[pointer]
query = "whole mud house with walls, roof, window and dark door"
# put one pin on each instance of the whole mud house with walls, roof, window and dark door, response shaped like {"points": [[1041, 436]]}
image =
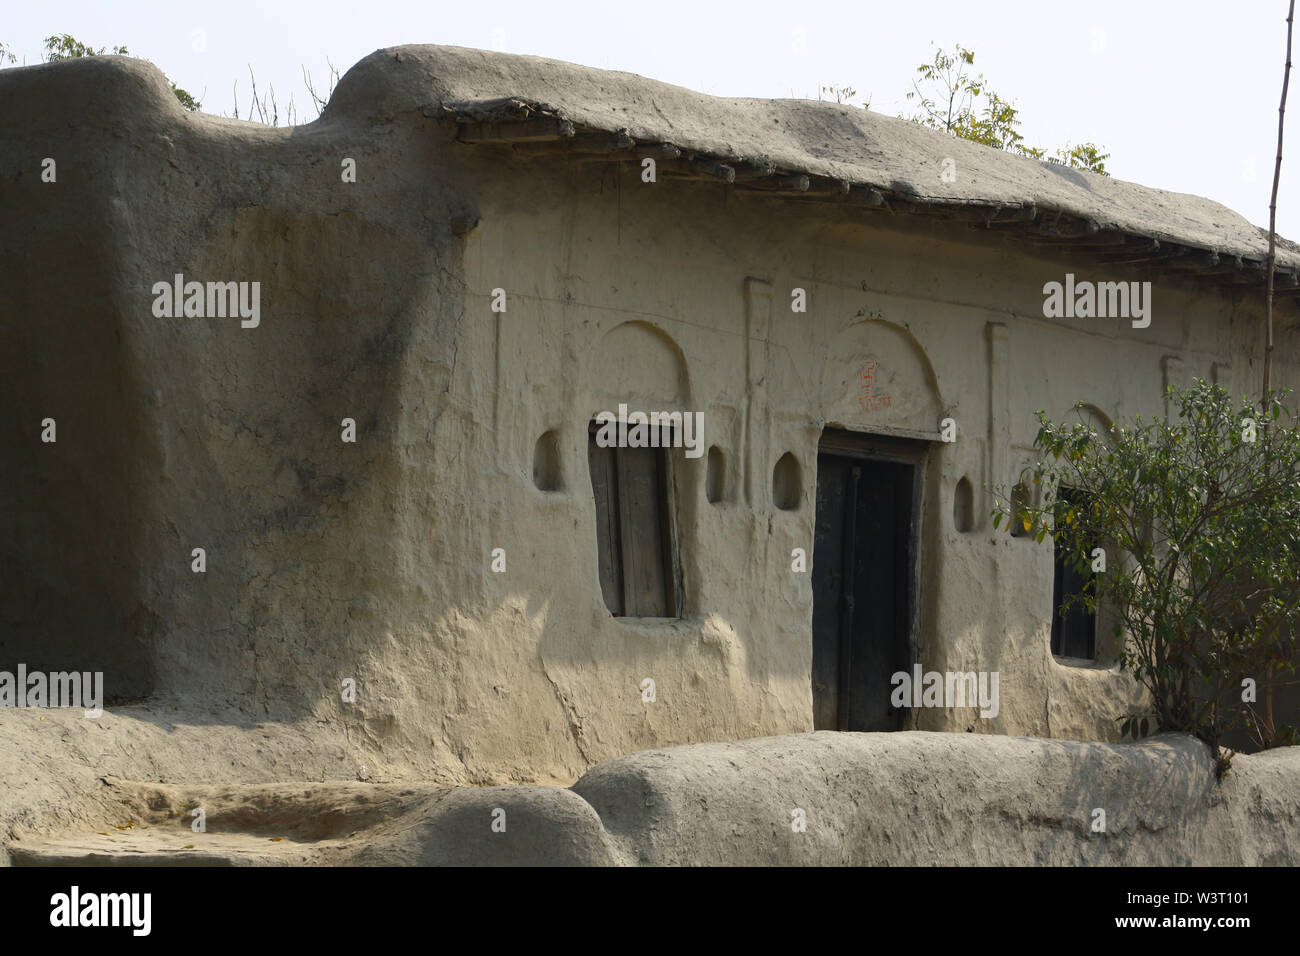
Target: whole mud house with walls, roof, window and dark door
{"points": [[471, 266]]}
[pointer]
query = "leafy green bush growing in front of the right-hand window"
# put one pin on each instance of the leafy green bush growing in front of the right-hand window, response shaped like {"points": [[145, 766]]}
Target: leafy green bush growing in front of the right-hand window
{"points": [[1199, 520]]}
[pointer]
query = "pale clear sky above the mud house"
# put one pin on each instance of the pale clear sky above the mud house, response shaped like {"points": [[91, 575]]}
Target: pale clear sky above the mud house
{"points": [[1184, 96]]}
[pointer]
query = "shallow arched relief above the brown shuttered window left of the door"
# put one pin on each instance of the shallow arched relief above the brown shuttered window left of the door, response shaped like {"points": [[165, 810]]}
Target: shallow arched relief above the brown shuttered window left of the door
{"points": [[642, 365]]}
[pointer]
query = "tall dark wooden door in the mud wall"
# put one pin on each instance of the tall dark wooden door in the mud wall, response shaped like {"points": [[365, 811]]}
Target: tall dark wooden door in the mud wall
{"points": [[863, 564]]}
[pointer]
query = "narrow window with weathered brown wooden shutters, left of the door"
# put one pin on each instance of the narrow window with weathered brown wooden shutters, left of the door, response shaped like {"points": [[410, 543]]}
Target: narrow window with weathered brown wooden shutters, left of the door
{"points": [[635, 531]]}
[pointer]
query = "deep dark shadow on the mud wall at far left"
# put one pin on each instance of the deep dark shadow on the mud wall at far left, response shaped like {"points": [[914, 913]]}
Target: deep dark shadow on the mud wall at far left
{"points": [[72, 439]]}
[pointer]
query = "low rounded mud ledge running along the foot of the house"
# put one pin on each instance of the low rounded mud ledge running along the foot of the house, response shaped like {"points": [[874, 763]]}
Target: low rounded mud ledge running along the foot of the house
{"points": [[866, 799]]}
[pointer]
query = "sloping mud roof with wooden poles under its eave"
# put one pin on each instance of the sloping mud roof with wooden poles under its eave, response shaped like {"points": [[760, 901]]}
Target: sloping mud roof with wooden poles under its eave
{"points": [[805, 150]]}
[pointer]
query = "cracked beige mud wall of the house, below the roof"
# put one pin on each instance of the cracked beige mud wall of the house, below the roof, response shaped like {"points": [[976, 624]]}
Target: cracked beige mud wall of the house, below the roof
{"points": [[371, 561]]}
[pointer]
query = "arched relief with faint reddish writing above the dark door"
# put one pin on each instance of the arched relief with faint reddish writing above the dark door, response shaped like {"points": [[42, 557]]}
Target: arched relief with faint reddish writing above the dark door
{"points": [[877, 379]]}
